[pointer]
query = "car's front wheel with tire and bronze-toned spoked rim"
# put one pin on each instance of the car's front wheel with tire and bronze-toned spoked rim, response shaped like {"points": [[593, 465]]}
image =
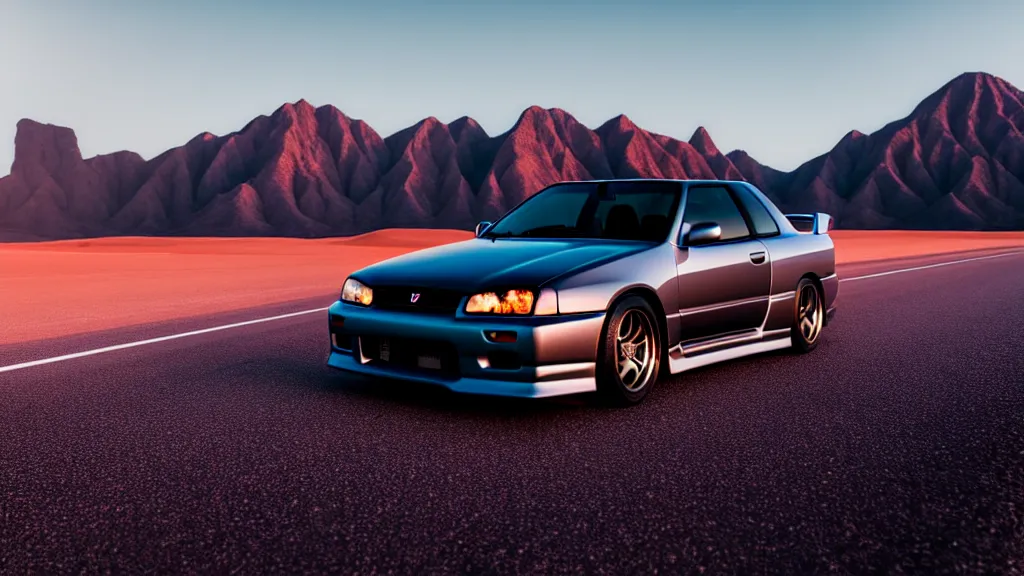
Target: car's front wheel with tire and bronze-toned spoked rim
{"points": [[630, 355]]}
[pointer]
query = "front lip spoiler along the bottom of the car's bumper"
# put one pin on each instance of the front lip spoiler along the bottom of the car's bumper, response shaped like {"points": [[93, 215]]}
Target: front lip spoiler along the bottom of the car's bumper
{"points": [[579, 379]]}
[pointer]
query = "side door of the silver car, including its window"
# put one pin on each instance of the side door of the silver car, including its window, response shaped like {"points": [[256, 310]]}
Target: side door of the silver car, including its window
{"points": [[724, 285]]}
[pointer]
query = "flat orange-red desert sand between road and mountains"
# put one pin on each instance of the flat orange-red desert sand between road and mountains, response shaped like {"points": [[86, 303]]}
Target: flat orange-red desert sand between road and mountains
{"points": [[53, 290]]}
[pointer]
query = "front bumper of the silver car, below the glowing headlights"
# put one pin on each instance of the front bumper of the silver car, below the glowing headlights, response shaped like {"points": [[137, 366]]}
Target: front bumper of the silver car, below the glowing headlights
{"points": [[554, 355]]}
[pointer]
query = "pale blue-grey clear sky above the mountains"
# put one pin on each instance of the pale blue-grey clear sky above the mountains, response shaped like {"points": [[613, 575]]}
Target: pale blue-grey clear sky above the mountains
{"points": [[784, 80]]}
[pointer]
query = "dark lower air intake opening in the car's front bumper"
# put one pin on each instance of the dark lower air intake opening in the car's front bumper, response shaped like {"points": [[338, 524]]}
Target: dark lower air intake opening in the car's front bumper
{"points": [[434, 357]]}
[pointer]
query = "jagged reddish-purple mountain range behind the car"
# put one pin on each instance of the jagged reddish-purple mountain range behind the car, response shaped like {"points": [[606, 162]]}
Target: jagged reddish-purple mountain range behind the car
{"points": [[956, 162]]}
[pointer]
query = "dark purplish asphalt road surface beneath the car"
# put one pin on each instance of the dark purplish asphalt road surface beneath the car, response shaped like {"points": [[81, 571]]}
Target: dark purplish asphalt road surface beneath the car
{"points": [[898, 446]]}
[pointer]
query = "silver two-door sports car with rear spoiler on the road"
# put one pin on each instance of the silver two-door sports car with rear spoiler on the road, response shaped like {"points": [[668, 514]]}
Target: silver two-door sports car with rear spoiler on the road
{"points": [[594, 286]]}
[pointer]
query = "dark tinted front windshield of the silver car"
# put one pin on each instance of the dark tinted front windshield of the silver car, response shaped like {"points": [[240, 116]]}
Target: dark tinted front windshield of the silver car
{"points": [[617, 211]]}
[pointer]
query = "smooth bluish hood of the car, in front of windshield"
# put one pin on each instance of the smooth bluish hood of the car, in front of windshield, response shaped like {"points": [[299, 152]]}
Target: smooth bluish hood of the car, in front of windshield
{"points": [[484, 264]]}
